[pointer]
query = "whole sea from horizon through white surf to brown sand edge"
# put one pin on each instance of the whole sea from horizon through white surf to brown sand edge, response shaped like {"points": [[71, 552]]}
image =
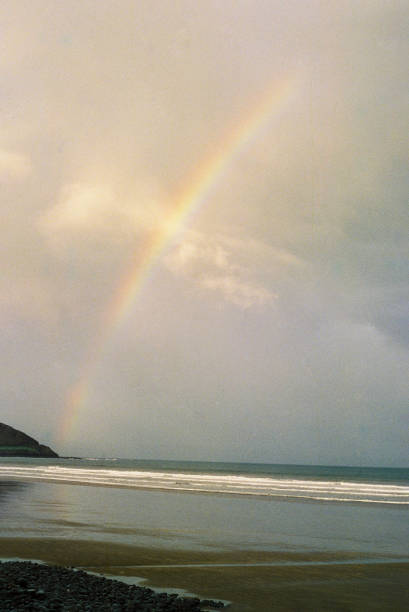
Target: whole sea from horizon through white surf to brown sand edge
{"points": [[207, 505]]}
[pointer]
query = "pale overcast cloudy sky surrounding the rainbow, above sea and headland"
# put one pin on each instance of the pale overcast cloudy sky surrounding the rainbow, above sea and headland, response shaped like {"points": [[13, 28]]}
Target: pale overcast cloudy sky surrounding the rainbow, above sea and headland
{"points": [[274, 326]]}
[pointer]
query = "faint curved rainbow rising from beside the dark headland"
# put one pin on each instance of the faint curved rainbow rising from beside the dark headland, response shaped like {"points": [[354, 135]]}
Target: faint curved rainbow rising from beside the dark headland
{"points": [[188, 202]]}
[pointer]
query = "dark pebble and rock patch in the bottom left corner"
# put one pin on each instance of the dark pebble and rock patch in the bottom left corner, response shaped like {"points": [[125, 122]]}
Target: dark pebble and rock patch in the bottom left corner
{"points": [[33, 587]]}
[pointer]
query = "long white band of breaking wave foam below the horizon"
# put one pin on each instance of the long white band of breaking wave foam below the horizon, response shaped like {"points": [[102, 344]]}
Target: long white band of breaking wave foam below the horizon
{"points": [[301, 489]]}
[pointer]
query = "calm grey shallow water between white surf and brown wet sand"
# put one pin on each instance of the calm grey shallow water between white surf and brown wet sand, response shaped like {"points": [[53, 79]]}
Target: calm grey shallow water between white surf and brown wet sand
{"points": [[193, 520]]}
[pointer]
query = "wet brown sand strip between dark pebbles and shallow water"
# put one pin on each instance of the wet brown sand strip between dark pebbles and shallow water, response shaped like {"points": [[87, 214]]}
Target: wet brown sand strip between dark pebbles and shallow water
{"points": [[293, 581]]}
